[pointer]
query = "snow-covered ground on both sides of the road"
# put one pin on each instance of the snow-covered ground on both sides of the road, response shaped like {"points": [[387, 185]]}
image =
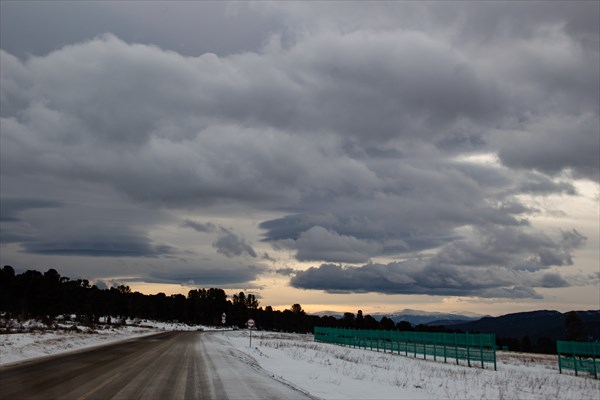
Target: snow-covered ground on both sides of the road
{"points": [[328, 371]]}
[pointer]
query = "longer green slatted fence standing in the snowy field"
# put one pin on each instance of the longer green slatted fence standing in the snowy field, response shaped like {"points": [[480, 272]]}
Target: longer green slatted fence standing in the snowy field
{"points": [[480, 348]]}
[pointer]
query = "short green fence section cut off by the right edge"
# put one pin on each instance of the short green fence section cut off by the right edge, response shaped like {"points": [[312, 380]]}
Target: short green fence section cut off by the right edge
{"points": [[579, 357]]}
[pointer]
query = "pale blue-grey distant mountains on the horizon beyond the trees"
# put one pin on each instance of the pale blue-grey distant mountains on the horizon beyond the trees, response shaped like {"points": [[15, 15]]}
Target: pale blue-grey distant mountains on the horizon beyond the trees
{"points": [[417, 317]]}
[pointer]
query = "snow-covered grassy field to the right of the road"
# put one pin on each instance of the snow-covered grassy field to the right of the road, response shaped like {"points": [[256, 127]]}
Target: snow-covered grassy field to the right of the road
{"points": [[335, 372]]}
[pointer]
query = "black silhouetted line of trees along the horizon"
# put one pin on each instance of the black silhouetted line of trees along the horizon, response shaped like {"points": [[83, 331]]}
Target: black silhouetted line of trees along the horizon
{"points": [[33, 294]]}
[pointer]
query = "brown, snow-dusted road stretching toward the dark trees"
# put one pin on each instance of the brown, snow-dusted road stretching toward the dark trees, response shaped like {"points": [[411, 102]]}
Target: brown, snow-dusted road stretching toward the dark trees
{"points": [[172, 365]]}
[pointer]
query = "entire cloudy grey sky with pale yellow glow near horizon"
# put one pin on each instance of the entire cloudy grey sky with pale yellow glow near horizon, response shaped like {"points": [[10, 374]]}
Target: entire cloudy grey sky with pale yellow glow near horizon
{"points": [[380, 155]]}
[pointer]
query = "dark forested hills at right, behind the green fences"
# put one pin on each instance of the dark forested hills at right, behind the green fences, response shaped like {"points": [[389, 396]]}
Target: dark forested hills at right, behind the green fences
{"points": [[535, 324]]}
